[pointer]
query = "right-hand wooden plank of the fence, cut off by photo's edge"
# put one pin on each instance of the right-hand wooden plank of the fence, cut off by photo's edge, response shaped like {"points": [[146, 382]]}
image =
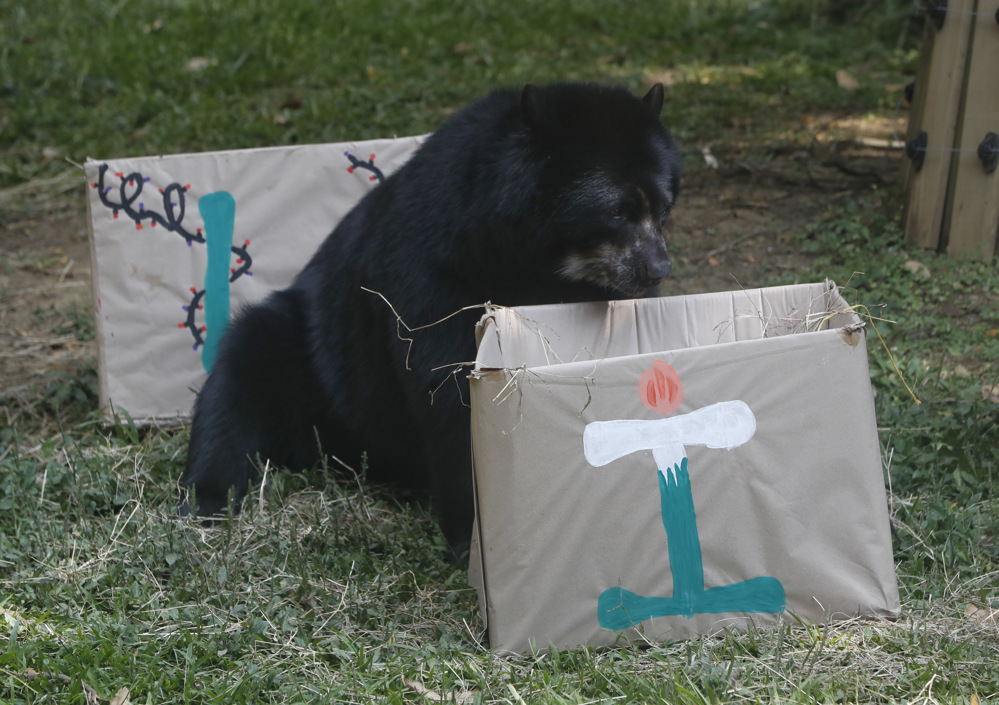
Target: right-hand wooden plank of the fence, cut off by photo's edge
{"points": [[974, 215]]}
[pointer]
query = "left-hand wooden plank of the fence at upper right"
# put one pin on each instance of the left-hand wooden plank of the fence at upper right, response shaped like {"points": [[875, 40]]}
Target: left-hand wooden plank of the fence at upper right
{"points": [[928, 186]]}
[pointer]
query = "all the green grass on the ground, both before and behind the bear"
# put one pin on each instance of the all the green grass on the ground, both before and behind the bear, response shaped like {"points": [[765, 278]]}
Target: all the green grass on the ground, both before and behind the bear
{"points": [[324, 591]]}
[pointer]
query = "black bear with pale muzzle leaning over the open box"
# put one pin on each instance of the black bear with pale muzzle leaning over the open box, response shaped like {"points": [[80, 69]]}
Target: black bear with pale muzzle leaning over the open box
{"points": [[553, 194]]}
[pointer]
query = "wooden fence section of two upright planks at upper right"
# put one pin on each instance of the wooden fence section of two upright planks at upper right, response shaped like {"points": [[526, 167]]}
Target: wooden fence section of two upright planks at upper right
{"points": [[953, 136]]}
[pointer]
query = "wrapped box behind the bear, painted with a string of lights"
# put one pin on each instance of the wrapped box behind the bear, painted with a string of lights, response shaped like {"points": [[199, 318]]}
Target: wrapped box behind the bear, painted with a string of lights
{"points": [[164, 291]]}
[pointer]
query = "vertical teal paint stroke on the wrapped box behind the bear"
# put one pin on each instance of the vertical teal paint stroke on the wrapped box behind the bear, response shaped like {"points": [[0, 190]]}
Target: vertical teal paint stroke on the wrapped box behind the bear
{"points": [[218, 211]]}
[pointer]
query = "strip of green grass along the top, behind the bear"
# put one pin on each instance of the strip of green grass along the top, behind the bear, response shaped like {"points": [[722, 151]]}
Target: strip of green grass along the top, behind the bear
{"points": [[86, 78]]}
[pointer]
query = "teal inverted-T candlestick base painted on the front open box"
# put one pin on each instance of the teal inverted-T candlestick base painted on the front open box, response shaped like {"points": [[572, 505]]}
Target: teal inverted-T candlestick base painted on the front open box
{"points": [[618, 608]]}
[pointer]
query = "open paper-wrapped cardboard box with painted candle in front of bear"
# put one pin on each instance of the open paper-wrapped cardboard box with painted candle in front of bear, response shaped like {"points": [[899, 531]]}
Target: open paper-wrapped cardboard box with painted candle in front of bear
{"points": [[659, 468]]}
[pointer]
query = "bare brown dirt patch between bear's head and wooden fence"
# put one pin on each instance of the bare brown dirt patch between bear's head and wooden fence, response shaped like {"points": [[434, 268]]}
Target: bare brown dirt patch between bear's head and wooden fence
{"points": [[736, 226]]}
